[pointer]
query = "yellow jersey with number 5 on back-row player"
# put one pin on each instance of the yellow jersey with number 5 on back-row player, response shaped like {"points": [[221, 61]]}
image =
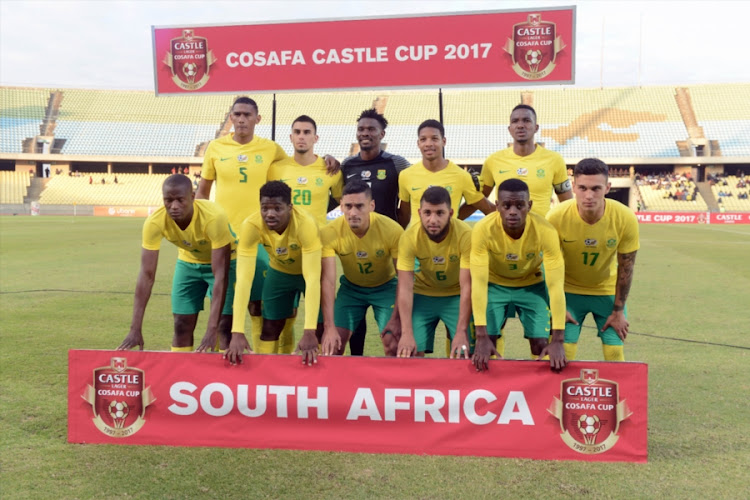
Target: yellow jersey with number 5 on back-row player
{"points": [[239, 171]]}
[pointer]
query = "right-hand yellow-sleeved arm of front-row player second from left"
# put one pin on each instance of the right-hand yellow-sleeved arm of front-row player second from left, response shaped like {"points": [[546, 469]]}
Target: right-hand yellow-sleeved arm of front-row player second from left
{"points": [[311, 271]]}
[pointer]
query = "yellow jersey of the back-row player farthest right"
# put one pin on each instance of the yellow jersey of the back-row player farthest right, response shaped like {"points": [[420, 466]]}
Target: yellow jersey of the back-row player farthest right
{"points": [[541, 171]]}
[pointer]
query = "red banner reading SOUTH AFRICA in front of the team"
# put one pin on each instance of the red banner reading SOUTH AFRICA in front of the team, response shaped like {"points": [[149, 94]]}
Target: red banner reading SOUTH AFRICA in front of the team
{"points": [[593, 411]]}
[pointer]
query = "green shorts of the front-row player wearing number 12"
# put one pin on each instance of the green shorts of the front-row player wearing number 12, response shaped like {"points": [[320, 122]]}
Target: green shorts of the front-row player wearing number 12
{"points": [[353, 300]]}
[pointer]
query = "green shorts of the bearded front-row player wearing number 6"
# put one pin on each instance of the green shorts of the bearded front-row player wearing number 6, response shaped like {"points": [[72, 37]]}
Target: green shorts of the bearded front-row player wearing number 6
{"points": [[428, 311]]}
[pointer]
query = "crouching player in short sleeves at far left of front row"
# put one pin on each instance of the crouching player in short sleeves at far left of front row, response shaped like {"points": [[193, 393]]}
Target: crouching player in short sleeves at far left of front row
{"points": [[200, 230]]}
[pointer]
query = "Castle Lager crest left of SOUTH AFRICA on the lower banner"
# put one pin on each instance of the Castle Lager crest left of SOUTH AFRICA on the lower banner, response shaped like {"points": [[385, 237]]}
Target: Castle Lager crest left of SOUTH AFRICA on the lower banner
{"points": [[118, 398]]}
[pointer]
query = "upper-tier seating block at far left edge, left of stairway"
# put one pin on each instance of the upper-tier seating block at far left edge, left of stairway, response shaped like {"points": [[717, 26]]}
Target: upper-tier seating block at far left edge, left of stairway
{"points": [[21, 114]]}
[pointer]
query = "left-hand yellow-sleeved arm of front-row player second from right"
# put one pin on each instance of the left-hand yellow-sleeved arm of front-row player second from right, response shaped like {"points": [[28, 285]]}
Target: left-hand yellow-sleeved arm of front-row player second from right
{"points": [[479, 267]]}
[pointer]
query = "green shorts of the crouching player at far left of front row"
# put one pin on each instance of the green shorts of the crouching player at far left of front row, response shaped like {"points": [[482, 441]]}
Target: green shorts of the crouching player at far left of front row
{"points": [[191, 284]]}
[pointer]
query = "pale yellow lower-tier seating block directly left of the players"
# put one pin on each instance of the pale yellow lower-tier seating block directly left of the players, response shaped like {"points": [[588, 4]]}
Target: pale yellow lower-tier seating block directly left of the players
{"points": [[131, 189]]}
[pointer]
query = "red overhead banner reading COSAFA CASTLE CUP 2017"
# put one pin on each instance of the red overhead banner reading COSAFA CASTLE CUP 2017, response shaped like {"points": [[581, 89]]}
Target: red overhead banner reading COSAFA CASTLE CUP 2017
{"points": [[439, 50]]}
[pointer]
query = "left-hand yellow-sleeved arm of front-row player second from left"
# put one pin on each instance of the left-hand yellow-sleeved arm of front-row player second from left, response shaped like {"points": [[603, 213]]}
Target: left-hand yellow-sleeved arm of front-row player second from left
{"points": [[247, 252]]}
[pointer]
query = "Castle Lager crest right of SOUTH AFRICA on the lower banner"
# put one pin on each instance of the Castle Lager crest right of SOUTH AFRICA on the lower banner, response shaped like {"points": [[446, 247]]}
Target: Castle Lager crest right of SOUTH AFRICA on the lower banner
{"points": [[590, 412]]}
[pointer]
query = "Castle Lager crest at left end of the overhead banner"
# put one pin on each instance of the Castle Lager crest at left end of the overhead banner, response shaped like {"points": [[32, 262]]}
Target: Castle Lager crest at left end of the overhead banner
{"points": [[190, 60]]}
